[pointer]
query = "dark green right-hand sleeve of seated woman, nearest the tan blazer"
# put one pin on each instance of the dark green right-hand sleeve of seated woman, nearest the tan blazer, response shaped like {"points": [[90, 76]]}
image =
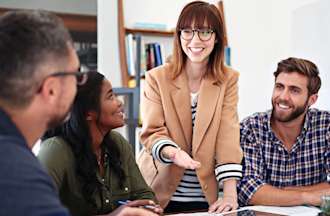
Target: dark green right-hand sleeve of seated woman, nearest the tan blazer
{"points": [[139, 188]]}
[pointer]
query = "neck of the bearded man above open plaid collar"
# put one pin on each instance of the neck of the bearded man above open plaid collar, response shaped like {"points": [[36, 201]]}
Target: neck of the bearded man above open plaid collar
{"points": [[288, 132]]}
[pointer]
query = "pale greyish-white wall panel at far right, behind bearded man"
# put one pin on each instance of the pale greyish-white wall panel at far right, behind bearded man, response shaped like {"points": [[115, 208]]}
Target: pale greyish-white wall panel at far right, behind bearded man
{"points": [[311, 39]]}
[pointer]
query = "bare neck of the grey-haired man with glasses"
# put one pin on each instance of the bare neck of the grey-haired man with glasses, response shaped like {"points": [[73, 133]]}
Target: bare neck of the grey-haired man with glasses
{"points": [[30, 123]]}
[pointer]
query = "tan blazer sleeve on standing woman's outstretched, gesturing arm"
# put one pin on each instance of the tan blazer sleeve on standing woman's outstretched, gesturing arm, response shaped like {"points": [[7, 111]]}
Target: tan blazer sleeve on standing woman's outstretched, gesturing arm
{"points": [[154, 128]]}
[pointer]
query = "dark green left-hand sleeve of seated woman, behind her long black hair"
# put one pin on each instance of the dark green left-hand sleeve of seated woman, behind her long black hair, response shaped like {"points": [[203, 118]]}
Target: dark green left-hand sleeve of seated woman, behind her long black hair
{"points": [[53, 155]]}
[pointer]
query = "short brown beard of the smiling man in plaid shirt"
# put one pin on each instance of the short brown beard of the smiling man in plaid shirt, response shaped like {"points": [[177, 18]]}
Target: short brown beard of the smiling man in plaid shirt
{"points": [[295, 113]]}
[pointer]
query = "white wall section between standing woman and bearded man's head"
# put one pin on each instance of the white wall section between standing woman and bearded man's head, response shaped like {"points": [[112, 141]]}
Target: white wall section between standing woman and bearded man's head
{"points": [[258, 33]]}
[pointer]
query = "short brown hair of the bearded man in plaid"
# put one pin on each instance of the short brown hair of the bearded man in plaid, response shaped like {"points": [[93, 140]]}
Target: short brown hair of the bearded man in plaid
{"points": [[303, 67]]}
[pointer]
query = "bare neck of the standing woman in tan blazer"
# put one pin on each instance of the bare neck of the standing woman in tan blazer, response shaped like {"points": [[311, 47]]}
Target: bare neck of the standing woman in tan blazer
{"points": [[195, 73]]}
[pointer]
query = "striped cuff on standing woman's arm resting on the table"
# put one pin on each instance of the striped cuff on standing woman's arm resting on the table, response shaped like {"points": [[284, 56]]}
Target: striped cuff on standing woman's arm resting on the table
{"points": [[228, 171]]}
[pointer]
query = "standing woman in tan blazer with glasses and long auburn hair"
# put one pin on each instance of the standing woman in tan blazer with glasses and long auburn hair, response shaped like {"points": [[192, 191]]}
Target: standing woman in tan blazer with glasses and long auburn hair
{"points": [[190, 123]]}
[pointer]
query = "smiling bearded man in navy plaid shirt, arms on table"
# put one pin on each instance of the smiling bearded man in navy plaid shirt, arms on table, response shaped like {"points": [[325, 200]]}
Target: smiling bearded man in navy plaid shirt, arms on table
{"points": [[286, 149]]}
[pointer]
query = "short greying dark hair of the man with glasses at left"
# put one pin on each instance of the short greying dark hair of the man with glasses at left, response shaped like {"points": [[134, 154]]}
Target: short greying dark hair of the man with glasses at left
{"points": [[29, 40]]}
